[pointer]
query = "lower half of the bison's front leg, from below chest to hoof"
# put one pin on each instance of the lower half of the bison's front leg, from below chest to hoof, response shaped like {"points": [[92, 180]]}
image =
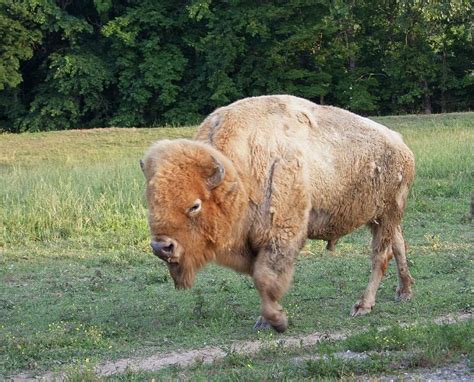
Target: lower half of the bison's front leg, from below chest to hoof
{"points": [[272, 275]]}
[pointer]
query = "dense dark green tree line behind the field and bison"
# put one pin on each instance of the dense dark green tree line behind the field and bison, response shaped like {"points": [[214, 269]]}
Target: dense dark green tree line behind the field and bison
{"points": [[77, 64]]}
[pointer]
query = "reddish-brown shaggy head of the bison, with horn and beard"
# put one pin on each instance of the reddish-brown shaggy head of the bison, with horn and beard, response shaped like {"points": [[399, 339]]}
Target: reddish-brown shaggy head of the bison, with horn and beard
{"points": [[195, 202]]}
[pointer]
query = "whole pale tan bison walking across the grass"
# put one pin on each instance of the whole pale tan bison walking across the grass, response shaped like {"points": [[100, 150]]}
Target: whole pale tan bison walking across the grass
{"points": [[266, 173]]}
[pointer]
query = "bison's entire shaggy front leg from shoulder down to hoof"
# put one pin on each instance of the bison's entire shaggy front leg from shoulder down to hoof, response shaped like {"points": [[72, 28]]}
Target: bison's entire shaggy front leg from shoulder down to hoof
{"points": [[280, 236]]}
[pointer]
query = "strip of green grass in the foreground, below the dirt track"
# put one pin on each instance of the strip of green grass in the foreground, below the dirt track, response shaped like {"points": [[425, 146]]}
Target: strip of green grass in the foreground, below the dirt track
{"points": [[387, 351]]}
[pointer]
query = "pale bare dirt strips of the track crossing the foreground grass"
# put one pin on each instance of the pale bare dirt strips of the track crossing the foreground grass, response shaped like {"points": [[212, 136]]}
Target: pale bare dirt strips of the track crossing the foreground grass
{"points": [[210, 354]]}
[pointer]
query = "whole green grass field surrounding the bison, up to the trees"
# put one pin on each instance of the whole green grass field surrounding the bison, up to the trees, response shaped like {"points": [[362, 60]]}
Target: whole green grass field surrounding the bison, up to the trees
{"points": [[78, 284]]}
